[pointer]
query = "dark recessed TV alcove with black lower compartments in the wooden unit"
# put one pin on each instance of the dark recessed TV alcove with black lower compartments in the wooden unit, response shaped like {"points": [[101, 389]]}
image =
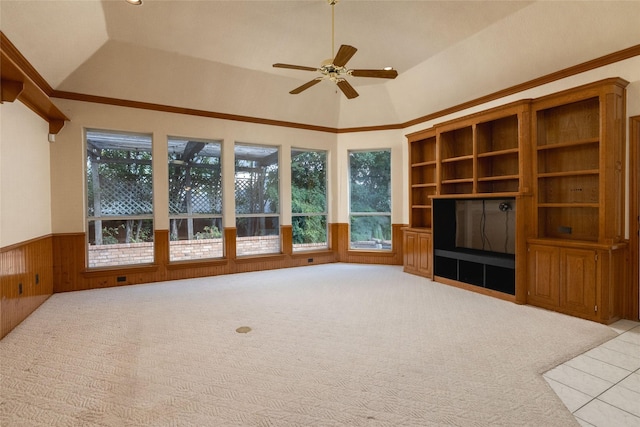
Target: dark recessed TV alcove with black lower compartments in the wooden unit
{"points": [[474, 242]]}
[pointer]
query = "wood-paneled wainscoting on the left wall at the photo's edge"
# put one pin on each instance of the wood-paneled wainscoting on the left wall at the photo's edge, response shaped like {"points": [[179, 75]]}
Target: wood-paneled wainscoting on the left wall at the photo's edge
{"points": [[26, 276]]}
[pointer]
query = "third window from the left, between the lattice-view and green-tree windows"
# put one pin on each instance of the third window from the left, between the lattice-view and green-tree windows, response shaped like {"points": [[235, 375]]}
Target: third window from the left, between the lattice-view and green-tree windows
{"points": [[257, 200]]}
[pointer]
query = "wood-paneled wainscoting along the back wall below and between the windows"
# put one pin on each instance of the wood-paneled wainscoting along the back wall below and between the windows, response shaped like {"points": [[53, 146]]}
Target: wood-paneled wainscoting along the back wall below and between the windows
{"points": [[70, 273]]}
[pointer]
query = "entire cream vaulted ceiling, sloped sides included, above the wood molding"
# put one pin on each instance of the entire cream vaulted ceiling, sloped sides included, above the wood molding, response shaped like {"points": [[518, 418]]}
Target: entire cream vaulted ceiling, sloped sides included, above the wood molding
{"points": [[217, 55]]}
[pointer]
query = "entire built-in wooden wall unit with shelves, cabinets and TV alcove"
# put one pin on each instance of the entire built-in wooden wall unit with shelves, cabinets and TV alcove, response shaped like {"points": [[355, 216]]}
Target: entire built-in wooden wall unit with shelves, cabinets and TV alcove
{"points": [[557, 163]]}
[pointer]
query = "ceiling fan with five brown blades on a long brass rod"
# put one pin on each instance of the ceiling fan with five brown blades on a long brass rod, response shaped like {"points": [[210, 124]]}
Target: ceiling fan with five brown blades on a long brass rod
{"points": [[335, 69]]}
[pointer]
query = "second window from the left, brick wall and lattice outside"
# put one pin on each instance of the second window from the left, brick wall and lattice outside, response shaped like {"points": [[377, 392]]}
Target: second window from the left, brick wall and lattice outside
{"points": [[195, 199]]}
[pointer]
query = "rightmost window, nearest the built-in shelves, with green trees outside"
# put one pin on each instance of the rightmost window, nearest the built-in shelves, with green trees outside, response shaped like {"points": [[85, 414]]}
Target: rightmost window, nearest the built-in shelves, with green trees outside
{"points": [[370, 199]]}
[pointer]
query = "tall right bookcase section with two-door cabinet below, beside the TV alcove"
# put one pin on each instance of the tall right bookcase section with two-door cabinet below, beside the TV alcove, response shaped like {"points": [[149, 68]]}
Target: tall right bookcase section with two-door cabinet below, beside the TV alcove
{"points": [[577, 255]]}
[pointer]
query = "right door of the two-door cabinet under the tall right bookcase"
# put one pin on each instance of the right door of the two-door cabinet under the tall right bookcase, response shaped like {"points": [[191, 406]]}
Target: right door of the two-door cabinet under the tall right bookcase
{"points": [[578, 291]]}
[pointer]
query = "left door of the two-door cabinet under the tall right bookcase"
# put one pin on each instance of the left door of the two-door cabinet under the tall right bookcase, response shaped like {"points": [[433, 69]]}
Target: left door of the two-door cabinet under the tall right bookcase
{"points": [[544, 285]]}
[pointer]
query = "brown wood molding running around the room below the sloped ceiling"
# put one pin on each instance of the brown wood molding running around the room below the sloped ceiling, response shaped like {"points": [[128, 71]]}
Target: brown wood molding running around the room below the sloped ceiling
{"points": [[37, 89]]}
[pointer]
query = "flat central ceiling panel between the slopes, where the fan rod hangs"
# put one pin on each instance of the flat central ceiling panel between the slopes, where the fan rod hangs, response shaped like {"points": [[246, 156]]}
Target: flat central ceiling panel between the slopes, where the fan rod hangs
{"points": [[256, 34]]}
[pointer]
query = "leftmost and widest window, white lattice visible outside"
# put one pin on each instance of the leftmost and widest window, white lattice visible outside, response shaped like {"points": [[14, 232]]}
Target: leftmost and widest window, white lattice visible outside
{"points": [[119, 198]]}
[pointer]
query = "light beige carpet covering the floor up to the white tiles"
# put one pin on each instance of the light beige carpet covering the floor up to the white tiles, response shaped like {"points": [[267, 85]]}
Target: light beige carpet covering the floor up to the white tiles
{"points": [[330, 345]]}
